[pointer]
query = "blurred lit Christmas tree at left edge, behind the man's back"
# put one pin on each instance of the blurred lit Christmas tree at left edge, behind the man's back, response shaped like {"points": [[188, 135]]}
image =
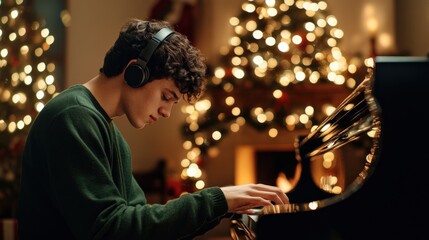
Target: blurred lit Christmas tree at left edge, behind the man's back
{"points": [[27, 82]]}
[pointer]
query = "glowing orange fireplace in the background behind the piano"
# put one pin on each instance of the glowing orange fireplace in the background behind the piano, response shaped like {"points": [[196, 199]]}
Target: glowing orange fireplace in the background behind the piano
{"points": [[277, 165]]}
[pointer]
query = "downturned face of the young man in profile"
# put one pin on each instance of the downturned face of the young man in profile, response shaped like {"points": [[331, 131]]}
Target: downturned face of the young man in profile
{"points": [[146, 104]]}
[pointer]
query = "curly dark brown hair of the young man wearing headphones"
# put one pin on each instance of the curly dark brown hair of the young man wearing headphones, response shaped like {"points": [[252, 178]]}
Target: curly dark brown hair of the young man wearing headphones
{"points": [[175, 57]]}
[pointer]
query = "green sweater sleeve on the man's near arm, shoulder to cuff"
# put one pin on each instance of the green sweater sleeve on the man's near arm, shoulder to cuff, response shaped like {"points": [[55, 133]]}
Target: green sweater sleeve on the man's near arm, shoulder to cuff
{"points": [[88, 197]]}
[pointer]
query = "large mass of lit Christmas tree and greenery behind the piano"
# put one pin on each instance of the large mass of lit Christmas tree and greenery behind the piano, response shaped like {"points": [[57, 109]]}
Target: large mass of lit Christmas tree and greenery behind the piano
{"points": [[280, 71]]}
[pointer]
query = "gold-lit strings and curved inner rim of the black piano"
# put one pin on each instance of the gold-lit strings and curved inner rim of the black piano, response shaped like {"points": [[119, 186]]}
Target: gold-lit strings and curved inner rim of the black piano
{"points": [[355, 121]]}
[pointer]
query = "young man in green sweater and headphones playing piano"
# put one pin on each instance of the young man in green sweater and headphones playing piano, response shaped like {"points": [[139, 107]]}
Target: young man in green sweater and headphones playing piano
{"points": [[77, 179]]}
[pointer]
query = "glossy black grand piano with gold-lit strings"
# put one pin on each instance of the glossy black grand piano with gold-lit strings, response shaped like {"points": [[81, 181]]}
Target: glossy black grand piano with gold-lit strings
{"points": [[380, 129]]}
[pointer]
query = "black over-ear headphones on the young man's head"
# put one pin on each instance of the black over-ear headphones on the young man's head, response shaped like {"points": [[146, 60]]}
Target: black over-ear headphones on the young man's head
{"points": [[137, 73]]}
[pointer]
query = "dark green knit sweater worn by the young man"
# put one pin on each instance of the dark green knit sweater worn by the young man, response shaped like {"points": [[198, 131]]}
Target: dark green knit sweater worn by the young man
{"points": [[77, 182]]}
